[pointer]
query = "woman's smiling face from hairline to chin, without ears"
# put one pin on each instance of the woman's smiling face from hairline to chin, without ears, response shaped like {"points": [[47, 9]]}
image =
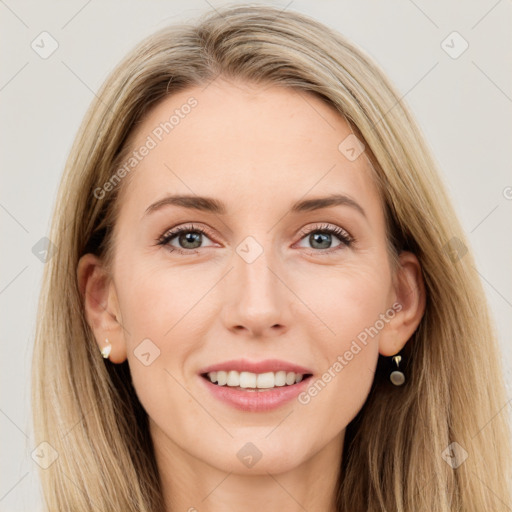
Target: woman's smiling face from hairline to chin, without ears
{"points": [[253, 279]]}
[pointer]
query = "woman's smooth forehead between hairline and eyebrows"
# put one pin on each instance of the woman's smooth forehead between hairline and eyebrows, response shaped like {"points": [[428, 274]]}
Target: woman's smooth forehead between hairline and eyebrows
{"points": [[255, 146]]}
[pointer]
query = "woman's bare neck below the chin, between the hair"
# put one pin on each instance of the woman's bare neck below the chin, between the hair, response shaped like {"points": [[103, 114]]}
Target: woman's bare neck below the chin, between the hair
{"points": [[192, 485]]}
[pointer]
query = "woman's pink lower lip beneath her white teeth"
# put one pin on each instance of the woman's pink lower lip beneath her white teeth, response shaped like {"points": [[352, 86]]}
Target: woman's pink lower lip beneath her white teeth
{"points": [[256, 401]]}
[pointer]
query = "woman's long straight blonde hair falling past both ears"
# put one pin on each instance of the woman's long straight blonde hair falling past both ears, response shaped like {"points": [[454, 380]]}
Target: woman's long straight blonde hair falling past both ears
{"points": [[398, 453]]}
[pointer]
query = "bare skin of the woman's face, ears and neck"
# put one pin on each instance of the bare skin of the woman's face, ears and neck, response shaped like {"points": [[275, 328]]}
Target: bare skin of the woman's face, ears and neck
{"points": [[258, 149]]}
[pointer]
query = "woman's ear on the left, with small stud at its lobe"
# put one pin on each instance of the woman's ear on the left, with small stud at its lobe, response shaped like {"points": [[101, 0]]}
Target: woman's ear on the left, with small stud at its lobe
{"points": [[101, 306]]}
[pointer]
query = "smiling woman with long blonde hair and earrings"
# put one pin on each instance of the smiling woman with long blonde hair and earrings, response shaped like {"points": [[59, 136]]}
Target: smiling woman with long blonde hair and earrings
{"points": [[255, 238]]}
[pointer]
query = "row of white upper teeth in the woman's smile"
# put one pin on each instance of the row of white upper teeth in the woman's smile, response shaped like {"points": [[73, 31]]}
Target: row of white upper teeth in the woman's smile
{"points": [[267, 380]]}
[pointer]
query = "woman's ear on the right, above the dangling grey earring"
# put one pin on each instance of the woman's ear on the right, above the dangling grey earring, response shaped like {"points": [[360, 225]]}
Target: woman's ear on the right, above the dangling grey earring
{"points": [[409, 294]]}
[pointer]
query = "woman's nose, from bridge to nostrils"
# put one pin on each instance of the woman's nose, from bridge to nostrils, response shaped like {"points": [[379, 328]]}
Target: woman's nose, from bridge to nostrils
{"points": [[258, 300]]}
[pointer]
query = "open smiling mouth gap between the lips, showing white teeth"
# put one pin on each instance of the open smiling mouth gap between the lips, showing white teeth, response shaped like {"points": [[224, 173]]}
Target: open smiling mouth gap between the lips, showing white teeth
{"points": [[256, 382]]}
